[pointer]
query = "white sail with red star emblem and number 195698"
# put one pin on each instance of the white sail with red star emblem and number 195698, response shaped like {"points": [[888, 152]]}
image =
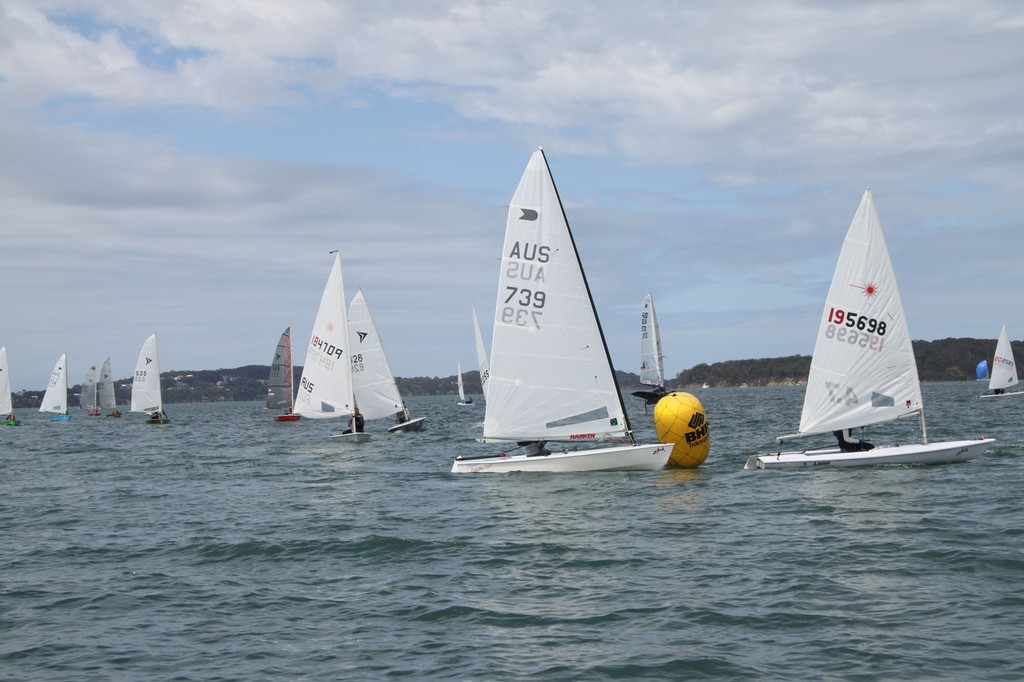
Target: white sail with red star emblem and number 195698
{"points": [[864, 371]]}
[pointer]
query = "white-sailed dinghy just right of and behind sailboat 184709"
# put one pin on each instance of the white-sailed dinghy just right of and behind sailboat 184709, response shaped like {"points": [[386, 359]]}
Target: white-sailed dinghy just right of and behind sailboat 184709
{"points": [[376, 391]]}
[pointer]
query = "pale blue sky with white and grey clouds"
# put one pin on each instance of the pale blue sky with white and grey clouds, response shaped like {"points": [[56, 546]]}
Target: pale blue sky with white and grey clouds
{"points": [[186, 168]]}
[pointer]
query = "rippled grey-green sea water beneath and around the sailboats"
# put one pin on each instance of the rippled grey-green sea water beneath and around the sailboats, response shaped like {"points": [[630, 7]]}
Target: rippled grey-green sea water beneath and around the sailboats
{"points": [[226, 546]]}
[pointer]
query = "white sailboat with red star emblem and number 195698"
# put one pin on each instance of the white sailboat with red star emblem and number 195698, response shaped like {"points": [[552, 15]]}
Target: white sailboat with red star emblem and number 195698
{"points": [[864, 370]]}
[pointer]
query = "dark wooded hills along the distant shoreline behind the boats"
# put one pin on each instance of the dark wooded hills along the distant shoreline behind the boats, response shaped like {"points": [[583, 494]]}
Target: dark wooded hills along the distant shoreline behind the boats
{"points": [[949, 360]]}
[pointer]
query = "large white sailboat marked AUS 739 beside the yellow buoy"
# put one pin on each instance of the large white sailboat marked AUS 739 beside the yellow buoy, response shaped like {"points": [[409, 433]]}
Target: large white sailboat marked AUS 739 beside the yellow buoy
{"points": [[551, 375]]}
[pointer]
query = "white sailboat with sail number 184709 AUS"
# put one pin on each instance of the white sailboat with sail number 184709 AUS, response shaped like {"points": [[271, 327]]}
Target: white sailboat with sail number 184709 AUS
{"points": [[326, 388]]}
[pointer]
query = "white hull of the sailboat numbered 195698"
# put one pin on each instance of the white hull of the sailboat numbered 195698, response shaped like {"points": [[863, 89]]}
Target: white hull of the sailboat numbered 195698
{"points": [[933, 453]]}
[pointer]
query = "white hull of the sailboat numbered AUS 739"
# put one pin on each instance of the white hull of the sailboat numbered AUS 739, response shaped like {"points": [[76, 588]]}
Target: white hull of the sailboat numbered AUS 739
{"points": [[621, 458]]}
